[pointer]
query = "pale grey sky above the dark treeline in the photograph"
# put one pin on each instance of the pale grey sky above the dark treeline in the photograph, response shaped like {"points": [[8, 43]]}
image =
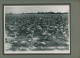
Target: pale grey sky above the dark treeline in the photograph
{"points": [[36, 8]]}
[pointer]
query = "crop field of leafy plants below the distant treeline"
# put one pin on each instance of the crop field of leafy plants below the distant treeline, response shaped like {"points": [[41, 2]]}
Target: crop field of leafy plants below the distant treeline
{"points": [[36, 32]]}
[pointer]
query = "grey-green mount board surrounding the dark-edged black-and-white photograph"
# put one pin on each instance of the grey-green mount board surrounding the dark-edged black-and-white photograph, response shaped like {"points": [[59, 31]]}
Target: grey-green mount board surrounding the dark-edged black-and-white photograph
{"points": [[75, 28]]}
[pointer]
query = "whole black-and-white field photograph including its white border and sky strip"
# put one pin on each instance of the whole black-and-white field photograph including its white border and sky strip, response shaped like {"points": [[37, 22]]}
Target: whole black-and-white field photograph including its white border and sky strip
{"points": [[36, 29]]}
